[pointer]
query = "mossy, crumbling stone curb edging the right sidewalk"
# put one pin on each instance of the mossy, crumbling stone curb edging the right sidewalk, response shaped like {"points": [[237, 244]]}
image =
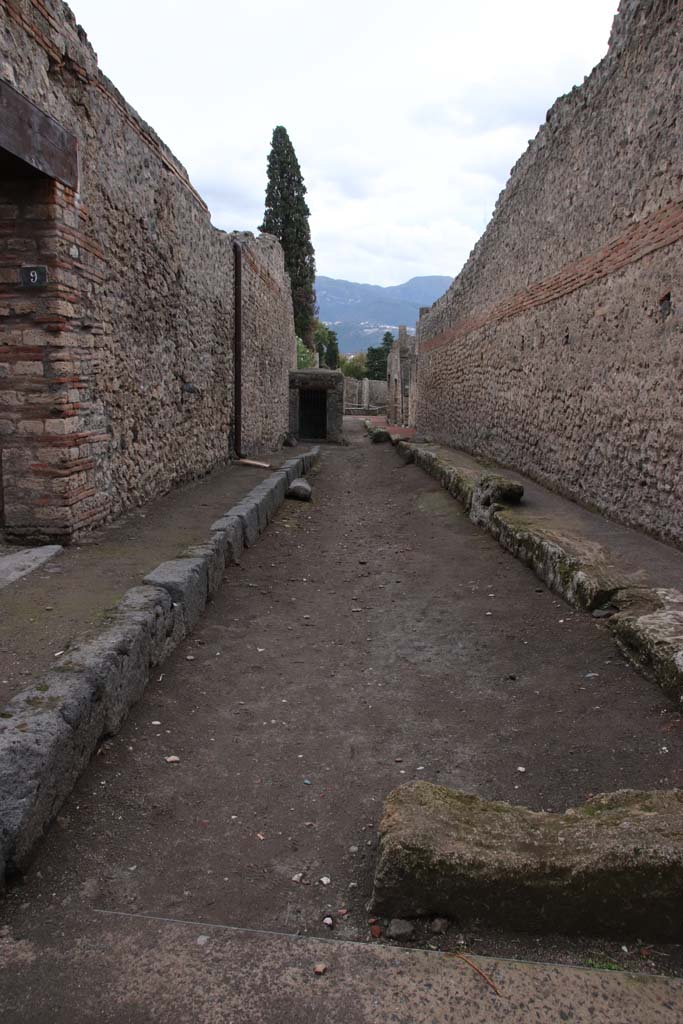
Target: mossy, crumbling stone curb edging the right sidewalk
{"points": [[648, 623]]}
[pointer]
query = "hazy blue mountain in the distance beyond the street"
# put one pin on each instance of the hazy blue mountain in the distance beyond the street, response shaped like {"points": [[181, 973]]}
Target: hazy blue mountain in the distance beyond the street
{"points": [[362, 314]]}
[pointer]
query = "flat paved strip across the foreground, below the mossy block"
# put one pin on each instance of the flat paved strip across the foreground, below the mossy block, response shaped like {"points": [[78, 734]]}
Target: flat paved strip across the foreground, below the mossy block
{"points": [[136, 970]]}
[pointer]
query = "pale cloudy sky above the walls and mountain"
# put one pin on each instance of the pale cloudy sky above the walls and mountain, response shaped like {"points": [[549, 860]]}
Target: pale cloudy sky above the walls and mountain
{"points": [[406, 117]]}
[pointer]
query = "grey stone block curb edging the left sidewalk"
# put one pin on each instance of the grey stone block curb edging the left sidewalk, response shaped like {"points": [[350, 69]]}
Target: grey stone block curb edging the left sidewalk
{"points": [[50, 733]]}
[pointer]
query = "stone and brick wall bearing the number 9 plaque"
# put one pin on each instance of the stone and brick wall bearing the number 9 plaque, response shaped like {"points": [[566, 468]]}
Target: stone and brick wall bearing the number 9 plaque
{"points": [[117, 378]]}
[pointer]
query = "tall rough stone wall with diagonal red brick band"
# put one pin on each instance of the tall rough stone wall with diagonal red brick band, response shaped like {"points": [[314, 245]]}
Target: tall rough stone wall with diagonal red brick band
{"points": [[559, 349]]}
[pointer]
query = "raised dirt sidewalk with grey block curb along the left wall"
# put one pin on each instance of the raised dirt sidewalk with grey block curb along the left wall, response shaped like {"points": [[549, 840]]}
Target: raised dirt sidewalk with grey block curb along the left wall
{"points": [[116, 609]]}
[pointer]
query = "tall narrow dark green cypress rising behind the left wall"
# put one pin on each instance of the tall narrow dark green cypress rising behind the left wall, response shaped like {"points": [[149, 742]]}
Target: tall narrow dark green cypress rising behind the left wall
{"points": [[287, 218]]}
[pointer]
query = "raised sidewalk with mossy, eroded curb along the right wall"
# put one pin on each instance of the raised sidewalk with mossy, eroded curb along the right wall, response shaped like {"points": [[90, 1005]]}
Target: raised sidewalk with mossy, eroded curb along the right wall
{"points": [[630, 580]]}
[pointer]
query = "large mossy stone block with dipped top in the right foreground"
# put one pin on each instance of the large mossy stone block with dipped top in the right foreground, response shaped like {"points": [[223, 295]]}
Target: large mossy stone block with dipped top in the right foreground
{"points": [[612, 867]]}
